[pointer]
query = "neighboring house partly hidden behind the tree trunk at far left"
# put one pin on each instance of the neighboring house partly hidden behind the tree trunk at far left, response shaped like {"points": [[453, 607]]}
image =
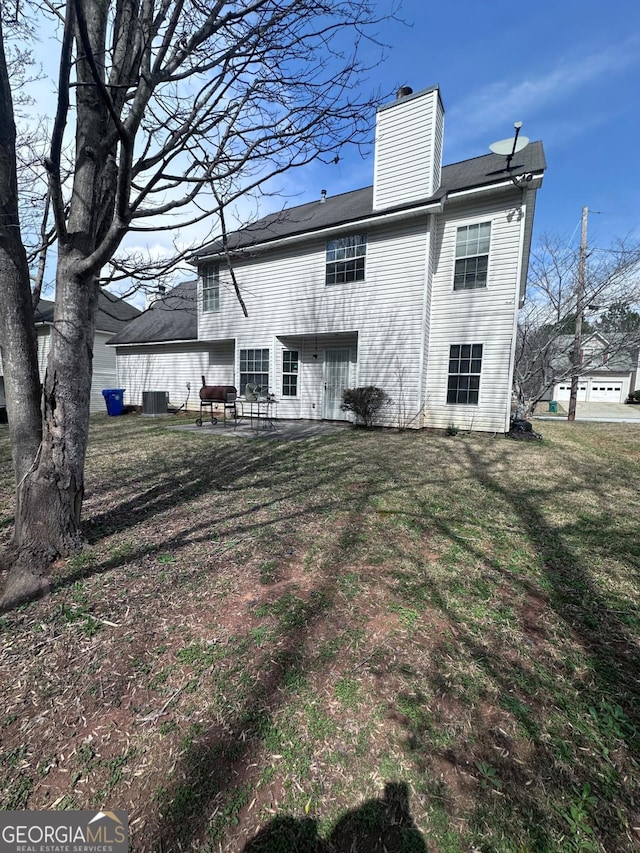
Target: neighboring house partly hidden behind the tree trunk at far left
{"points": [[113, 314]]}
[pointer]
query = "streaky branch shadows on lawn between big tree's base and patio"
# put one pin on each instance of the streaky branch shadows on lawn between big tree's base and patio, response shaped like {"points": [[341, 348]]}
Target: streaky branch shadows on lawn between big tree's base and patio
{"points": [[271, 472]]}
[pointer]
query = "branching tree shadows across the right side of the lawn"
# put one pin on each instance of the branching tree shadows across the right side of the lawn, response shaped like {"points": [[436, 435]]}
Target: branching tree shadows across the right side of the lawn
{"points": [[604, 809]]}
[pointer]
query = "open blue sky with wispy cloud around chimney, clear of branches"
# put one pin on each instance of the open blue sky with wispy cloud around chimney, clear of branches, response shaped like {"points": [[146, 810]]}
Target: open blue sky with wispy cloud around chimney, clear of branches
{"points": [[570, 71]]}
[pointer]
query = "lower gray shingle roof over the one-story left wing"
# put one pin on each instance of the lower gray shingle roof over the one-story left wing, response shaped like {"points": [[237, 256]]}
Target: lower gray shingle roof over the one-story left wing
{"points": [[171, 318]]}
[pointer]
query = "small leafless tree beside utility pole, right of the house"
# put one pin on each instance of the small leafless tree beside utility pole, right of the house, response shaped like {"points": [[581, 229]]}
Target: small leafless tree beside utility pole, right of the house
{"points": [[545, 343]]}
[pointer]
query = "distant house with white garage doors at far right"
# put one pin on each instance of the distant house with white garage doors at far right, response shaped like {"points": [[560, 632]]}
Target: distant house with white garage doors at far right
{"points": [[608, 369]]}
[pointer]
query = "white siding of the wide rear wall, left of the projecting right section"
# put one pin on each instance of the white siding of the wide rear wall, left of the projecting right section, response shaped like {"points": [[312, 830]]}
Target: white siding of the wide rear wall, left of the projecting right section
{"points": [[301, 310]]}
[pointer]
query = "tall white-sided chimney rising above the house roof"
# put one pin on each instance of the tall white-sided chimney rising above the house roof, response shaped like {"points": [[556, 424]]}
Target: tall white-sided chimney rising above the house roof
{"points": [[408, 154]]}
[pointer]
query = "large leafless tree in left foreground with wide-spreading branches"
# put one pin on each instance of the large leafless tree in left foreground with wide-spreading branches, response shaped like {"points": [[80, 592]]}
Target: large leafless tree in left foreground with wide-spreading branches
{"points": [[167, 111]]}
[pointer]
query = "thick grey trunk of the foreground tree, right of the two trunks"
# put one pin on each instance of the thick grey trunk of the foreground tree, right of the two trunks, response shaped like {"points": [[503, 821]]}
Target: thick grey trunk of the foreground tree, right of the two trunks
{"points": [[50, 493]]}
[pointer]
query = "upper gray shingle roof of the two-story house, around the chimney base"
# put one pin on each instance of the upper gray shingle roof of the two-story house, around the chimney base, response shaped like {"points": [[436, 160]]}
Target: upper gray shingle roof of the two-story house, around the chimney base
{"points": [[358, 204]]}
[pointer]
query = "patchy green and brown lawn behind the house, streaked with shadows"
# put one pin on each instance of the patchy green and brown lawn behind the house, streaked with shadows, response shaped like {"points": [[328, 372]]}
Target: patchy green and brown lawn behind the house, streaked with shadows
{"points": [[424, 639]]}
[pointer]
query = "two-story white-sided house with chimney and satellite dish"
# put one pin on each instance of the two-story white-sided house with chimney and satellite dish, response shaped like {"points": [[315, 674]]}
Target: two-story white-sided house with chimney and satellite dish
{"points": [[412, 285]]}
